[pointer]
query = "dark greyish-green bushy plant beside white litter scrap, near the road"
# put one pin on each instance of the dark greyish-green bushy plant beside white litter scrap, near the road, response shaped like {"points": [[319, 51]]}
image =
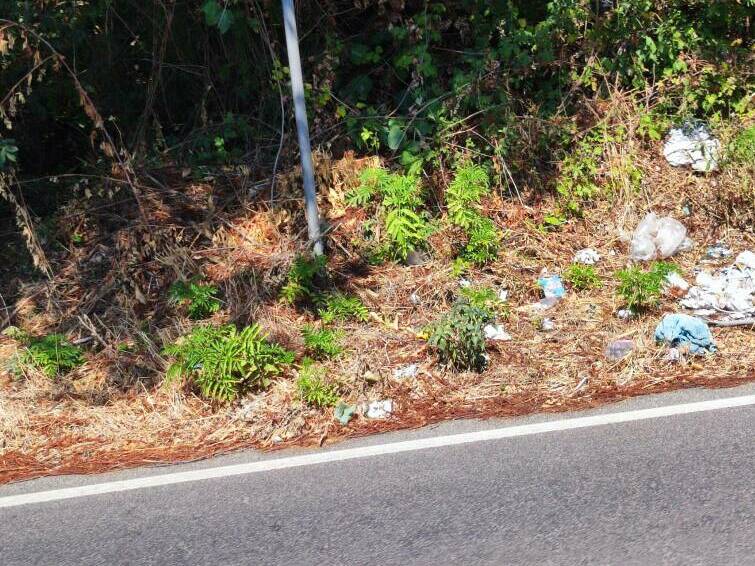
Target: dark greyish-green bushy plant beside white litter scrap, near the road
{"points": [[459, 339]]}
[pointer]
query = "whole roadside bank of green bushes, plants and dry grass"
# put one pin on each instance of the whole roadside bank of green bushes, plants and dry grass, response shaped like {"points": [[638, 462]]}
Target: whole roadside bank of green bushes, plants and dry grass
{"points": [[160, 301]]}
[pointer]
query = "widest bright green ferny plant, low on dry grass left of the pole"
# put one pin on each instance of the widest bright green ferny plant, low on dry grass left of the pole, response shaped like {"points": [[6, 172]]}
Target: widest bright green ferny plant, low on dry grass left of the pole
{"points": [[222, 362]]}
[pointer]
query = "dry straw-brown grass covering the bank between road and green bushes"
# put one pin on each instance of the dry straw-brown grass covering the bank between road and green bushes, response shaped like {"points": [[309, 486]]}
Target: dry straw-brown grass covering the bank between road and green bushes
{"points": [[113, 412]]}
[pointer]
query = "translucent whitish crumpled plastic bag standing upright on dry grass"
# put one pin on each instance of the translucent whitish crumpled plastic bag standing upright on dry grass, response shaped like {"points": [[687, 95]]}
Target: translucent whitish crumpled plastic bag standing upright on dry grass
{"points": [[658, 238]]}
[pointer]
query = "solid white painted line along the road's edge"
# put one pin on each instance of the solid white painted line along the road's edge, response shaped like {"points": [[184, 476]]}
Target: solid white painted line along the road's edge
{"points": [[376, 450]]}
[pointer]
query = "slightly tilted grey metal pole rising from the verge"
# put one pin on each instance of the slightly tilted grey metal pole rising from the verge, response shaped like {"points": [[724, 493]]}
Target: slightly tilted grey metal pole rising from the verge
{"points": [[297, 88]]}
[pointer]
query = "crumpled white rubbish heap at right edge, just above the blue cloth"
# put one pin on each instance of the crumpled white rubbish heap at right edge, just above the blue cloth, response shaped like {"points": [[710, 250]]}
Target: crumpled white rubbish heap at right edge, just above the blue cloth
{"points": [[726, 297]]}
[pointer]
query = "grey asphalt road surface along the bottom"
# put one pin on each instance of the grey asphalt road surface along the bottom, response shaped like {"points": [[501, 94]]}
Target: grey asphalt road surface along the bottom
{"points": [[670, 490]]}
